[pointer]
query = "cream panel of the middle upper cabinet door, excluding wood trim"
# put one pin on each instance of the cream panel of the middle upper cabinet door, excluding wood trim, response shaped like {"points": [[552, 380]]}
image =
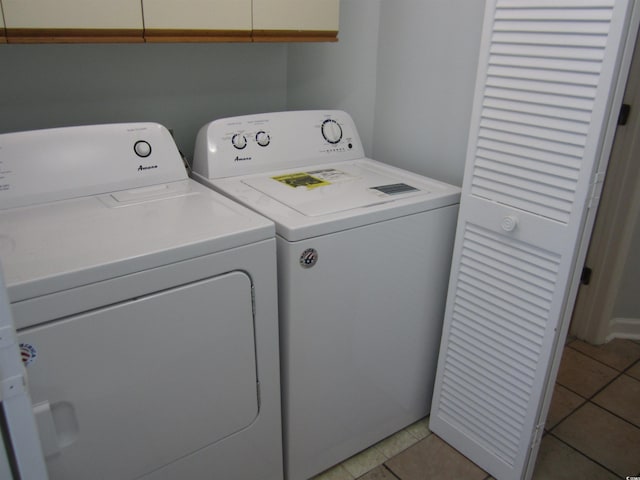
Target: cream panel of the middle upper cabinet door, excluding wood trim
{"points": [[198, 14]]}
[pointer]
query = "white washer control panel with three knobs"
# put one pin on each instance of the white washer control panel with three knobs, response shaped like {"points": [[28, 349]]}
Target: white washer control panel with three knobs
{"points": [[268, 142]]}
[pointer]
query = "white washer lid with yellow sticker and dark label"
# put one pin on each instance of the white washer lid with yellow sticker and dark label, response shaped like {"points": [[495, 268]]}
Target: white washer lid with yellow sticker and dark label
{"points": [[331, 189]]}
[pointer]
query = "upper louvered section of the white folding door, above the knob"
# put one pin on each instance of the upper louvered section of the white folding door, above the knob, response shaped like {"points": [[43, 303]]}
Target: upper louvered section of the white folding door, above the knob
{"points": [[550, 101]]}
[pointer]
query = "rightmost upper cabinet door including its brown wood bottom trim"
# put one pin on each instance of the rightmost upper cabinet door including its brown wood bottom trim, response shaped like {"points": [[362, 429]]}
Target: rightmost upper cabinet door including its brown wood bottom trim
{"points": [[293, 20]]}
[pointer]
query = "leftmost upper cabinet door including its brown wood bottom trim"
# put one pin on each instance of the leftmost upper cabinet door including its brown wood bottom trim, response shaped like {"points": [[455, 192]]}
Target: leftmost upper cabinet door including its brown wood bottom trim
{"points": [[72, 20]]}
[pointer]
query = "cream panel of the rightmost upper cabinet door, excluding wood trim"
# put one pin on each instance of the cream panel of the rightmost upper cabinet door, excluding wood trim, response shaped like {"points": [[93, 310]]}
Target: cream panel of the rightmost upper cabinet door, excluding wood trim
{"points": [[296, 15]]}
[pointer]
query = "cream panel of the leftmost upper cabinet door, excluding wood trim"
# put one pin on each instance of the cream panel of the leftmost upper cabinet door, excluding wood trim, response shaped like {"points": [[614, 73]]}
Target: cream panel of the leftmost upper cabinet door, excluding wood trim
{"points": [[90, 14]]}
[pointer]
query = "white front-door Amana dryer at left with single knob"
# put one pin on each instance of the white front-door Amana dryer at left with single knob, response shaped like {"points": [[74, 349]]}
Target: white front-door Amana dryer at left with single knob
{"points": [[146, 308]]}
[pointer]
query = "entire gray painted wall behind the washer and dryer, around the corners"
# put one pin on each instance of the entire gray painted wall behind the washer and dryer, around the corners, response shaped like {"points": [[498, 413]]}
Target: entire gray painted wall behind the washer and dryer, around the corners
{"points": [[404, 69]]}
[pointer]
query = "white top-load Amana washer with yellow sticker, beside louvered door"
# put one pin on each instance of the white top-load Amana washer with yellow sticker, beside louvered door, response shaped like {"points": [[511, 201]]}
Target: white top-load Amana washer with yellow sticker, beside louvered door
{"points": [[364, 251]]}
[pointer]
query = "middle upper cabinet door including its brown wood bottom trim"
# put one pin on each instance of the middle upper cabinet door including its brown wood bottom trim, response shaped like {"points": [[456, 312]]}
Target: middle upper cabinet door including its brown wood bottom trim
{"points": [[197, 20]]}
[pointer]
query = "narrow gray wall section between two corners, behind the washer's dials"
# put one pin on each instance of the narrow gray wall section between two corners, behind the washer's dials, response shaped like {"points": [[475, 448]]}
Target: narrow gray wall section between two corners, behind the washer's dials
{"points": [[340, 75]]}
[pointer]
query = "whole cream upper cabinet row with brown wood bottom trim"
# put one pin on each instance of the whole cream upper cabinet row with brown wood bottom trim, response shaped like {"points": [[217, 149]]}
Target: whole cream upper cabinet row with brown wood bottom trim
{"points": [[59, 21]]}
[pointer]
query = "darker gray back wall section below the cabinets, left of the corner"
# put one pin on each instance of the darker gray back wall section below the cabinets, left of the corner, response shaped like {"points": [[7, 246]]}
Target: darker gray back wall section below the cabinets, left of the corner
{"points": [[181, 86]]}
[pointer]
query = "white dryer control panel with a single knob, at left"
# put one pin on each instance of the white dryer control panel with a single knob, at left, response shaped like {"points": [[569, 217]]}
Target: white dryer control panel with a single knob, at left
{"points": [[58, 164]]}
